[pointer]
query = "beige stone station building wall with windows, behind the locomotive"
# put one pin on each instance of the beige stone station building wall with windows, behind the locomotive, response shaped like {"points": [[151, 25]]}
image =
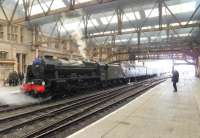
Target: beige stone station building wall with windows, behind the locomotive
{"points": [[17, 49]]}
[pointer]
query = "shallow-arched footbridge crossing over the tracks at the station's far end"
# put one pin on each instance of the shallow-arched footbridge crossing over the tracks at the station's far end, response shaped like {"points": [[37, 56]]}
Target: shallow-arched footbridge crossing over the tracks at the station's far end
{"points": [[153, 53]]}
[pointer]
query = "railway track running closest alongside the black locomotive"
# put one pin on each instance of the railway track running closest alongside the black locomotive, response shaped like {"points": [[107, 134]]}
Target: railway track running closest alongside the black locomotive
{"points": [[21, 111]]}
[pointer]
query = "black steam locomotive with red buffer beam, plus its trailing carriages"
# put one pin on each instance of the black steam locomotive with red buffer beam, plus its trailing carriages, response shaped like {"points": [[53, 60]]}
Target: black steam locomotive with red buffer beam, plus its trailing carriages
{"points": [[52, 77]]}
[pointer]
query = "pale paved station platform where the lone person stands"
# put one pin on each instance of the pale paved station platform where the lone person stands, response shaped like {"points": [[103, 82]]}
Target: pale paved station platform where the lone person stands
{"points": [[159, 113]]}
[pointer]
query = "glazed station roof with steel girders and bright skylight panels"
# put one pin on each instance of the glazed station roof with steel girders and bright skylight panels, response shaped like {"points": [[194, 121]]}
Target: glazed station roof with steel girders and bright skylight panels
{"points": [[108, 21]]}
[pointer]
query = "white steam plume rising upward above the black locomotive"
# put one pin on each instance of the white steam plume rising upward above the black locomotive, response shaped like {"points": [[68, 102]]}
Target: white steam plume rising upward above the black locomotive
{"points": [[77, 35]]}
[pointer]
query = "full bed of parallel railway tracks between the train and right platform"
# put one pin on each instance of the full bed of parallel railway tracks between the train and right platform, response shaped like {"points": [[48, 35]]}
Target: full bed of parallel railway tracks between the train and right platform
{"points": [[48, 119]]}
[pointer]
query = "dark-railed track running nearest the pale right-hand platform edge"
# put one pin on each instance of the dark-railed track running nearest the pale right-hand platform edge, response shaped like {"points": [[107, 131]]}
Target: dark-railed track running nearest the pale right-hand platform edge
{"points": [[52, 127]]}
